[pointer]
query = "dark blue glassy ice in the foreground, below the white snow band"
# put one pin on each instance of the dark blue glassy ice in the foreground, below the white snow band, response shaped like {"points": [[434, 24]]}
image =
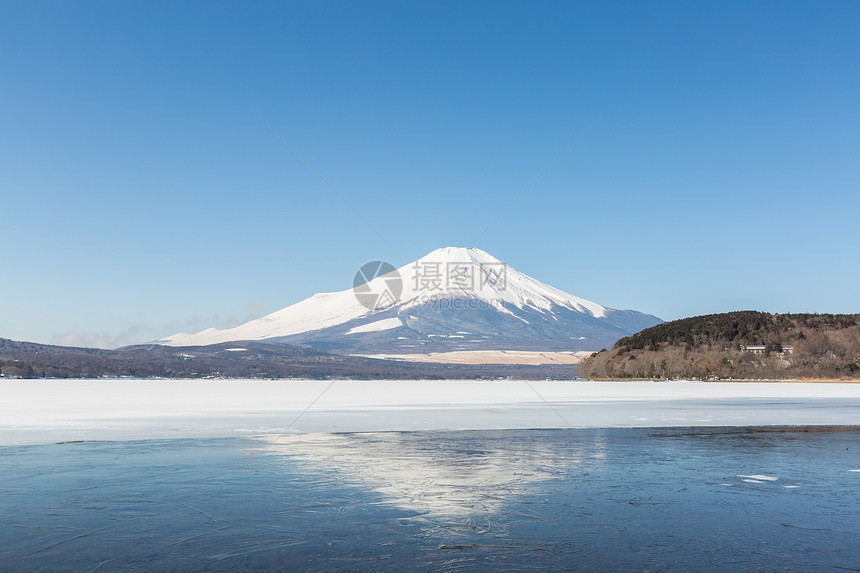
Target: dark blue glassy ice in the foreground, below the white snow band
{"points": [[678, 499]]}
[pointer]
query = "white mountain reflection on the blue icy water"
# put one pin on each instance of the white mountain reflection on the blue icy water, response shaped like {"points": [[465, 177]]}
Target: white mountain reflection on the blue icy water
{"points": [[439, 475]]}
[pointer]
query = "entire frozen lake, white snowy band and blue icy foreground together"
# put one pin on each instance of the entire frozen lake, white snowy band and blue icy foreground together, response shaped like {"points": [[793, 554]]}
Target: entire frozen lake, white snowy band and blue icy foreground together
{"points": [[150, 475]]}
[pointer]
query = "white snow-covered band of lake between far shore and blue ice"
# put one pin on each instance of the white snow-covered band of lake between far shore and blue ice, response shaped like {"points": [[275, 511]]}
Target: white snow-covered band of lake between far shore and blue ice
{"points": [[46, 411]]}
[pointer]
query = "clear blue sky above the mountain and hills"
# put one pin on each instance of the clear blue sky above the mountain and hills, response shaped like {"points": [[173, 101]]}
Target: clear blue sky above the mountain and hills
{"points": [[143, 195]]}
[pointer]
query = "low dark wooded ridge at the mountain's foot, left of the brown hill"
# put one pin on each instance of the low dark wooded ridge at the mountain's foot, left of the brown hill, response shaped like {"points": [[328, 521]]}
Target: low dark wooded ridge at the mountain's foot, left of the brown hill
{"points": [[249, 359]]}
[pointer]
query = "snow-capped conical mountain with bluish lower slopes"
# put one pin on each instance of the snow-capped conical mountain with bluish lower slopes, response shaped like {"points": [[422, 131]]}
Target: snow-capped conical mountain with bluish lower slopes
{"points": [[451, 299]]}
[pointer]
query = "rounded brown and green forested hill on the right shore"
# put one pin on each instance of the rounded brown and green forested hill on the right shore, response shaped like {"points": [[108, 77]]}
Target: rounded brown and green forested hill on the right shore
{"points": [[715, 346]]}
